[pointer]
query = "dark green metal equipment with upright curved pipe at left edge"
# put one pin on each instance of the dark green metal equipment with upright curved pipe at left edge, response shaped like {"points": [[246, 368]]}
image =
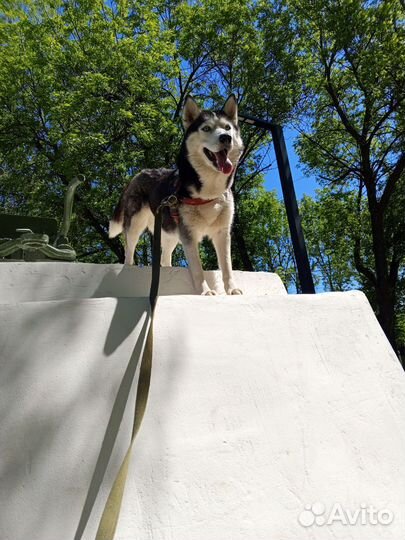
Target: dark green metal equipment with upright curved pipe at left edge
{"points": [[18, 241]]}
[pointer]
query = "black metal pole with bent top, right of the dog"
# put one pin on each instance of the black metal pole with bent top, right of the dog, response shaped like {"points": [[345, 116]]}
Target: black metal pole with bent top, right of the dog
{"points": [[290, 201]]}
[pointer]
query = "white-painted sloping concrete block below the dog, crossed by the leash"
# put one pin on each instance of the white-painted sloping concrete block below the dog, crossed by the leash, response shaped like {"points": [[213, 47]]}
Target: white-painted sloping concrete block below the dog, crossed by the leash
{"points": [[270, 417]]}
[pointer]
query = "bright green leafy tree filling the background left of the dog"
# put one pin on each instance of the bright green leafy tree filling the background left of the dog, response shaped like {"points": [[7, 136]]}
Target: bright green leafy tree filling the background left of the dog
{"points": [[81, 93]]}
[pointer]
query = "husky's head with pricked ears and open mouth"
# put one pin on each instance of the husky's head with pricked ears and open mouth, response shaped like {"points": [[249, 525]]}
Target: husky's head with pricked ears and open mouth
{"points": [[212, 138]]}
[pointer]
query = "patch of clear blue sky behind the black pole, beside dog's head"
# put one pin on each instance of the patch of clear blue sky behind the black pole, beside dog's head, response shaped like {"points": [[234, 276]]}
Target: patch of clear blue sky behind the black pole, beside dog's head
{"points": [[304, 184]]}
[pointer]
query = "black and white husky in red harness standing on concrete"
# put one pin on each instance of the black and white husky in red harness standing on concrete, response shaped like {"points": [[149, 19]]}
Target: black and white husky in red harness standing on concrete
{"points": [[202, 184]]}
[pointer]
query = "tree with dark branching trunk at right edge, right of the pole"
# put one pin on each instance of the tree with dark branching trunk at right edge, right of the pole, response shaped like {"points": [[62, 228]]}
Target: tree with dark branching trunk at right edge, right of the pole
{"points": [[352, 123]]}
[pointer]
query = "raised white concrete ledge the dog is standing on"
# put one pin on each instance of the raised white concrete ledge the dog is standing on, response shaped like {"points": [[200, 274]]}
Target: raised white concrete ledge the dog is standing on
{"points": [[25, 282]]}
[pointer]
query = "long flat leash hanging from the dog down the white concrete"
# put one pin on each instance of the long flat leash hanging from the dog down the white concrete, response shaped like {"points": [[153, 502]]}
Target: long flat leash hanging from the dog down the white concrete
{"points": [[109, 518]]}
